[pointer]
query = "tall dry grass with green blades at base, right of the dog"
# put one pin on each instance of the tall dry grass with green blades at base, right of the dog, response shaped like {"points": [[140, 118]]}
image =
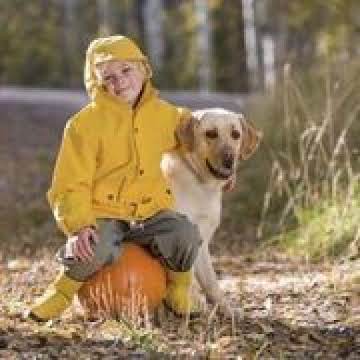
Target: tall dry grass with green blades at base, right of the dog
{"points": [[313, 195]]}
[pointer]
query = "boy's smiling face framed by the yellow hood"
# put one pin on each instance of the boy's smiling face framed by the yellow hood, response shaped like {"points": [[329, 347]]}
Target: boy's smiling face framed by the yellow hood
{"points": [[123, 79]]}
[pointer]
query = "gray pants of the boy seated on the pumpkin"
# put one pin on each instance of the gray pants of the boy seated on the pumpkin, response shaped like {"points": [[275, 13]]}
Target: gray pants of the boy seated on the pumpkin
{"points": [[168, 235]]}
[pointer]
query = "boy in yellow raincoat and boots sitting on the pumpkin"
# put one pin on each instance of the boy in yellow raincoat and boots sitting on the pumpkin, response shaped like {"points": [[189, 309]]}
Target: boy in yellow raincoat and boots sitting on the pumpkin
{"points": [[107, 184]]}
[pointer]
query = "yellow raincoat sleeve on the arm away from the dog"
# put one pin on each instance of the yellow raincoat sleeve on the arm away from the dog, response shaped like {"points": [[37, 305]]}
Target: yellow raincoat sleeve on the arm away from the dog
{"points": [[70, 192]]}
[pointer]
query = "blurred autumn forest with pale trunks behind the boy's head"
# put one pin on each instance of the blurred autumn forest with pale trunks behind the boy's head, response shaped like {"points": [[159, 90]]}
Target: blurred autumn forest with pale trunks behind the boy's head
{"points": [[191, 43]]}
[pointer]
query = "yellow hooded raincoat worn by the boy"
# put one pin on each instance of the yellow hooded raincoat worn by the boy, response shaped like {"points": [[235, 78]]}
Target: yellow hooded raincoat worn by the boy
{"points": [[108, 165]]}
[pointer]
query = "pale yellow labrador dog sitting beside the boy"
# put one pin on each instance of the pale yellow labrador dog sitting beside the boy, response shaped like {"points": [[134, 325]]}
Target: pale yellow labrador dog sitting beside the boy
{"points": [[214, 141]]}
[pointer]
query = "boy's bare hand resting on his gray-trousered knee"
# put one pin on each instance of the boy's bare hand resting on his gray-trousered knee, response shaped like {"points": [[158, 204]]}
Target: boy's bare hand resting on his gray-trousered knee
{"points": [[80, 245]]}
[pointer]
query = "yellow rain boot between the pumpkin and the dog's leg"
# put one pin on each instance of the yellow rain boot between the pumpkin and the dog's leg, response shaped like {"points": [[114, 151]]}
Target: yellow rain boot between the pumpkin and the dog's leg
{"points": [[178, 296]]}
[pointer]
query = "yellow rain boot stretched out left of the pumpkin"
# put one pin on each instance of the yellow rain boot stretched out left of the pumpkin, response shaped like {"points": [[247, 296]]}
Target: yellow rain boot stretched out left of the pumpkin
{"points": [[57, 298]]}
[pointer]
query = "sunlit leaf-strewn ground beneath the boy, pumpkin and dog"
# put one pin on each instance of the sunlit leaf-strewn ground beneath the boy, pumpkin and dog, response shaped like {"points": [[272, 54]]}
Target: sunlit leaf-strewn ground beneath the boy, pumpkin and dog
{"points": [[292, 311]]}
